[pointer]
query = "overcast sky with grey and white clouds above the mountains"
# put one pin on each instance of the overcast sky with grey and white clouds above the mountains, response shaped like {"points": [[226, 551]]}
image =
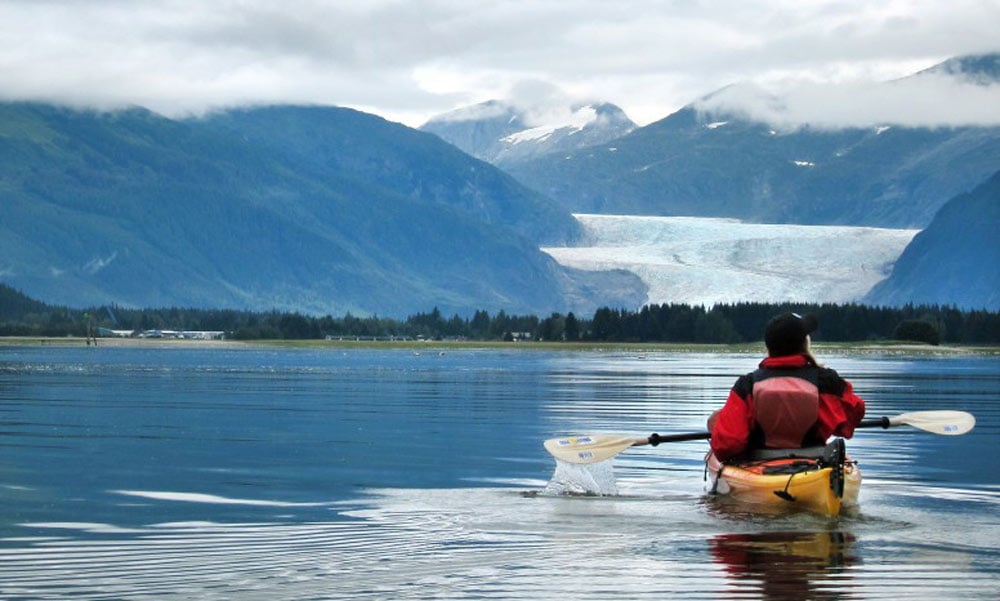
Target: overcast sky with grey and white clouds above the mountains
{"points": [[408, 60]]}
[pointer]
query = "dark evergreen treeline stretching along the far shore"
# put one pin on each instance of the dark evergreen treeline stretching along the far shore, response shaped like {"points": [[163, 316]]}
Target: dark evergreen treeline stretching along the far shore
{"points": [[728, 323]]}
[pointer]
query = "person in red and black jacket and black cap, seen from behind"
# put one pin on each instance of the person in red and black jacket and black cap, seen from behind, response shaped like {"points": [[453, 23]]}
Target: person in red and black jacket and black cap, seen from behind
{"points": [[789, 402]]}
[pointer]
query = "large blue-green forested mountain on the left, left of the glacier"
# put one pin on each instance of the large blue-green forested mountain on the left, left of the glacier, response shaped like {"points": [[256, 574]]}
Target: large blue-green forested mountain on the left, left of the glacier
{"points": [[320, 210]]}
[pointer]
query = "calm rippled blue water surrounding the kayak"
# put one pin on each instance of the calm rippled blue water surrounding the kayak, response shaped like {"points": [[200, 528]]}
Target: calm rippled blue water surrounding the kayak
{"points": [[132, 473]]}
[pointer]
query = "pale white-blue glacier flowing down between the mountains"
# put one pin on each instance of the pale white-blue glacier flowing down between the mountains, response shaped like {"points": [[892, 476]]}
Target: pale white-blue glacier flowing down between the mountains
{"points": [[709, 261]]}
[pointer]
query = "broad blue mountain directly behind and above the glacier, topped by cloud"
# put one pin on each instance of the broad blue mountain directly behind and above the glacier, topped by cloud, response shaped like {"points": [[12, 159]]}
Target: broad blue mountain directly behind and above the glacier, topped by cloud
{"points": [[710, 159]]}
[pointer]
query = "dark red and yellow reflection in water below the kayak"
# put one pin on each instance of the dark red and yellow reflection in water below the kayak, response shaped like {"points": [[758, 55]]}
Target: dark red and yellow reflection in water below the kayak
{"points": [[785, 565]]}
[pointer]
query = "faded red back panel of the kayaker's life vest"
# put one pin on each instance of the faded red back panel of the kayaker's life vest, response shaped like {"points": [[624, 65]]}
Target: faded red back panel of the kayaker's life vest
{"points": [[786, 406]]}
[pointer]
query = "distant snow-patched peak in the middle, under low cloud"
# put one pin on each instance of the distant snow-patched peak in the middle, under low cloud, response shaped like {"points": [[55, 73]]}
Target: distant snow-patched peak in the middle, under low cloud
{"points": [[501, 132]]}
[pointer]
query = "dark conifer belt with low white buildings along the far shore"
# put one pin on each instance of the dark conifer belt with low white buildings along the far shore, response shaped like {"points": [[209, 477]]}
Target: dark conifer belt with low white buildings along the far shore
{"points": [[726, 327]]}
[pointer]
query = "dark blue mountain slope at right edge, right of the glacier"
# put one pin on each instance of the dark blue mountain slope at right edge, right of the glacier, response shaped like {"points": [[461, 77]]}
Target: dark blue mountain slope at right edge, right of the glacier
{"points": [[955, 260]]}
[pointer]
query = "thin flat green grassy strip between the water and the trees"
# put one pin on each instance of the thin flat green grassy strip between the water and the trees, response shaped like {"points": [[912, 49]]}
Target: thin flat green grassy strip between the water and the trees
{"points": [[859, 348]]}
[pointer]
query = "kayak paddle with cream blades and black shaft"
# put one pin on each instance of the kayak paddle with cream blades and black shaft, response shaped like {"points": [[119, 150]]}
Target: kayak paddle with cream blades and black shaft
{"points": [[594, 448]]}
